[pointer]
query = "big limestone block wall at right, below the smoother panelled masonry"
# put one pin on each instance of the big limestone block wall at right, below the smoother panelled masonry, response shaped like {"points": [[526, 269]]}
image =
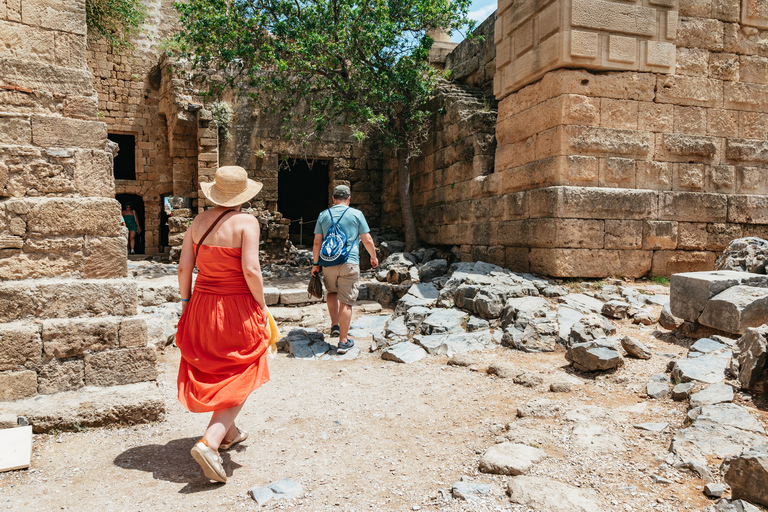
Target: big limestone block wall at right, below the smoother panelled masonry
{"points": [[631, 173]]}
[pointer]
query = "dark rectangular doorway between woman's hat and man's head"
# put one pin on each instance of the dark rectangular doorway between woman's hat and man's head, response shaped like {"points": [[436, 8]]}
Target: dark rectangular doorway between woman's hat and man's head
{"points": [[302, 192]]}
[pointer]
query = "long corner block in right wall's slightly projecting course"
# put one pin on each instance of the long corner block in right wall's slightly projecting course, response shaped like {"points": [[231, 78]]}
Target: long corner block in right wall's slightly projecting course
{"points": [[593, 203]]}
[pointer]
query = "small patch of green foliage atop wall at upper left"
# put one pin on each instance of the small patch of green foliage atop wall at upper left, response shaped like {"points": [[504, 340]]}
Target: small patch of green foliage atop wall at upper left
{"points": [[115, 21]]}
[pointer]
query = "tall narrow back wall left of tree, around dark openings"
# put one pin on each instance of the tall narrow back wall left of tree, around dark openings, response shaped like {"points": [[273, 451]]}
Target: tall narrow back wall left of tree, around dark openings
{"points": [[128, 84]]}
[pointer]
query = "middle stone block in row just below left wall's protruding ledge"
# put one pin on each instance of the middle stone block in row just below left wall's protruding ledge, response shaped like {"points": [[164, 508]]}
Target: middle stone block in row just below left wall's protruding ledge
{"points": [[72, 337]]}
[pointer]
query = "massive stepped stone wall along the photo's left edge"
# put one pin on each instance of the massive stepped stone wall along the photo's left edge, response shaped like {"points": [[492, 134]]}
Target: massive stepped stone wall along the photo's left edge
{"points": [[66, 308]]}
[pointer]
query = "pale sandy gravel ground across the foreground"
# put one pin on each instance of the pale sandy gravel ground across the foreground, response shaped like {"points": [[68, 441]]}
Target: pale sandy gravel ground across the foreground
{"points": [[376, 435]]}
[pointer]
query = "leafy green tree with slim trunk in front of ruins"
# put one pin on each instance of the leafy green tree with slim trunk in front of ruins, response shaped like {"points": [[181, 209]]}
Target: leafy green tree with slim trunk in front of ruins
{"points": [[361, 63]]}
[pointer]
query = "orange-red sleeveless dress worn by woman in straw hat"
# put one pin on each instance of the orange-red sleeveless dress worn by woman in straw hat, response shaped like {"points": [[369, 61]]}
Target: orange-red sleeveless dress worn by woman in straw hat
{"points": [[221, 335]]}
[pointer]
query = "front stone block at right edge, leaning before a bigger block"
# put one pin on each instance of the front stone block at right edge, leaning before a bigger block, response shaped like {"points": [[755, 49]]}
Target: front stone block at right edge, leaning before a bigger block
{"points": [[736, 309]]}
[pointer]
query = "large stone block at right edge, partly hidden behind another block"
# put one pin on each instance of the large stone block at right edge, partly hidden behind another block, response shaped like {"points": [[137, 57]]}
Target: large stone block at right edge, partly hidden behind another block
{"points": [[689, 292]]}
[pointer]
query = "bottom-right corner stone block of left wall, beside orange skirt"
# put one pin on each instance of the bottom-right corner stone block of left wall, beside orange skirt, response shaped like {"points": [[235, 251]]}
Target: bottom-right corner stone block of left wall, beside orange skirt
{"points": [[121, 366]]}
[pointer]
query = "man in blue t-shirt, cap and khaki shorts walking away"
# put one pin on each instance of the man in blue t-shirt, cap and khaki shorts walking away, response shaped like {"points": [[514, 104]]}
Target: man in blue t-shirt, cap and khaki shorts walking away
{"points": [[341, 281]]}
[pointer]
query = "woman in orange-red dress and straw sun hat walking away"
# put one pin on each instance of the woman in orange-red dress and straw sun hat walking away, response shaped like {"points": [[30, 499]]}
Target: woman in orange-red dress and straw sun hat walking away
{"points": [[223, 333]]}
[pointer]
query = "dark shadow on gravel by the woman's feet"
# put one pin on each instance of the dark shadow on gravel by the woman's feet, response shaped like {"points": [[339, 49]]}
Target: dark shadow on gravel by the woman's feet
{"points": [[173, 463]]}
